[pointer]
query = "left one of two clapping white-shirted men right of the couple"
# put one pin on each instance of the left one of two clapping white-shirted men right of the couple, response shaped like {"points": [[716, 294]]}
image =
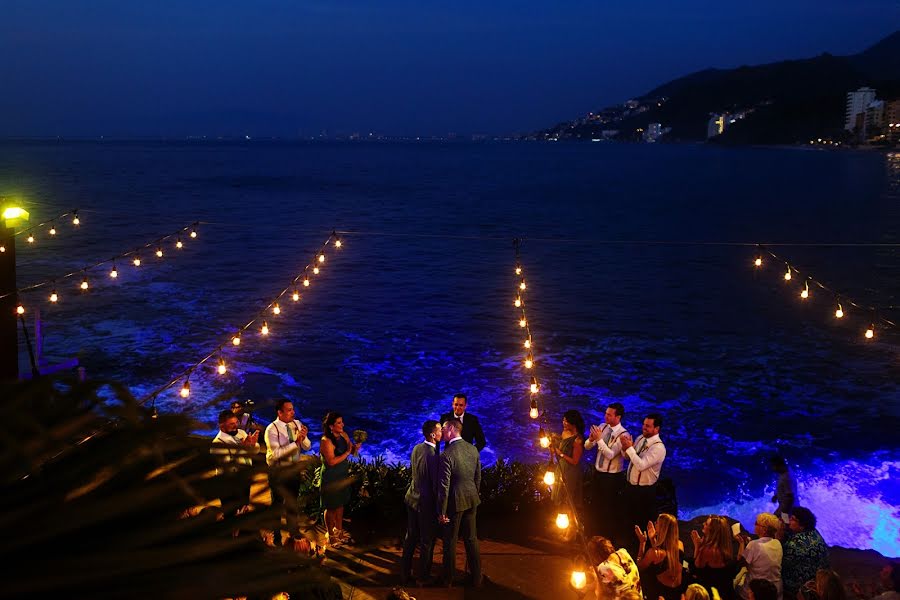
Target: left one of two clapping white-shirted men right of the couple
{"points": [[609, 474]]}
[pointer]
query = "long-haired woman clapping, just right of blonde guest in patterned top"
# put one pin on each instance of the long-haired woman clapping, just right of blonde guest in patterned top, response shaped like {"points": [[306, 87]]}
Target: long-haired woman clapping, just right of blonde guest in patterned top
{"points": [[659, 558]]}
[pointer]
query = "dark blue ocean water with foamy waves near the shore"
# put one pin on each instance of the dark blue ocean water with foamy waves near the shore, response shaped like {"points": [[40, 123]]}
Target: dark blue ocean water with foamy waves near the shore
{"points": [[417, 305]]}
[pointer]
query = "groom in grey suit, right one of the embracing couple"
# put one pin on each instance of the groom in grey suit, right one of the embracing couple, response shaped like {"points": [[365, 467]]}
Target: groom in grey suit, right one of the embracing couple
{"points": [[457, 500]]}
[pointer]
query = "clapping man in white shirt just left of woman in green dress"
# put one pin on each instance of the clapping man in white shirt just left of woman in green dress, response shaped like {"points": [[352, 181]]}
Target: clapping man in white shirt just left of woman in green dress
{"points": [[286, 440]]}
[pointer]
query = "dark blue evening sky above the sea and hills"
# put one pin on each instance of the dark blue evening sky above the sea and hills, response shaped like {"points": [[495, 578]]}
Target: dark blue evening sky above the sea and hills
{"points": [[289, 67]]}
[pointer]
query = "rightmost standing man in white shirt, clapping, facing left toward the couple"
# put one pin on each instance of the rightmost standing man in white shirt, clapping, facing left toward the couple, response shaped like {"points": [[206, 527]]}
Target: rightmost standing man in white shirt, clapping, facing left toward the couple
{"points": [[645, 455]]}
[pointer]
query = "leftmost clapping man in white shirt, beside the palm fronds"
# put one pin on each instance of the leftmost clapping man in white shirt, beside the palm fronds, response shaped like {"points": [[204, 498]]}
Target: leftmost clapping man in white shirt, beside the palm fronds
{"points": [[234, 450]]}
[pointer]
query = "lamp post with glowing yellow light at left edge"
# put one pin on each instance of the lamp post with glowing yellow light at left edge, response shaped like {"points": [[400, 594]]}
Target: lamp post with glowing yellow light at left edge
{"points": [[13, 216]]}
